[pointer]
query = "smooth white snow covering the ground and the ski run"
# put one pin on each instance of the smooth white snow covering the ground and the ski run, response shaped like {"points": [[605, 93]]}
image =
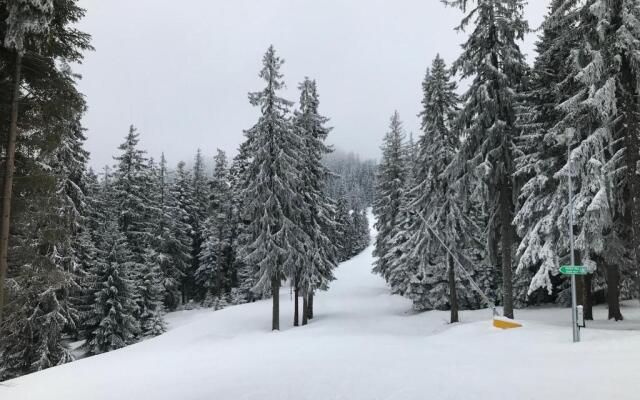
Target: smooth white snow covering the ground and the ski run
{"points": [[362, 344]]}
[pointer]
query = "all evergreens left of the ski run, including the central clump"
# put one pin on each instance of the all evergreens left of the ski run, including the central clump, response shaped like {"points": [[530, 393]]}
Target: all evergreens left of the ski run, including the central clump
{"points": [[100, 257]]}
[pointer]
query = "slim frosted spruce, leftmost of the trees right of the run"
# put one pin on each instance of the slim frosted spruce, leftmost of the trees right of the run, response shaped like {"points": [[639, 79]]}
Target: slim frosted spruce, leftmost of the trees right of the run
{"points": [[389, 192]]}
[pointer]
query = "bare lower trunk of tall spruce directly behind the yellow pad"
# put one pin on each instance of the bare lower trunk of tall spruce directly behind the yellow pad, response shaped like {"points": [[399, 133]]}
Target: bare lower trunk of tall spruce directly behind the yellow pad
{"points": [[506, 238]]}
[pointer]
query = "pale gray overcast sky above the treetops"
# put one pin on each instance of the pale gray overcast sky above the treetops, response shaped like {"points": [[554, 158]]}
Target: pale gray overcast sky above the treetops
{"points": [[180, 70]]}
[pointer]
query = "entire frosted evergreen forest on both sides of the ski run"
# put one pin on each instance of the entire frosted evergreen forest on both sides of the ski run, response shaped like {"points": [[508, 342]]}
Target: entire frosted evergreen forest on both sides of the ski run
{"points": [[504, 170]]}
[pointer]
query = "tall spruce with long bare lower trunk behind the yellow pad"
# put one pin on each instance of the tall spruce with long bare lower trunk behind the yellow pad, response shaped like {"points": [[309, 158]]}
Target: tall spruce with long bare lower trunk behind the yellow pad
{"points": [[492, 58]]}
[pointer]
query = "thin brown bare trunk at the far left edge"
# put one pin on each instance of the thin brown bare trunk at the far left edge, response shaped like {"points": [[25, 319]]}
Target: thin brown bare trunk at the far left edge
{"points": [[7, 187]]}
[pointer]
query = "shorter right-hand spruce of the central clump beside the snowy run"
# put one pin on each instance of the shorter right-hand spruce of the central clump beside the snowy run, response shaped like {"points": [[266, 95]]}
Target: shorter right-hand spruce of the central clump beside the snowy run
{"points": [[316, 268]]}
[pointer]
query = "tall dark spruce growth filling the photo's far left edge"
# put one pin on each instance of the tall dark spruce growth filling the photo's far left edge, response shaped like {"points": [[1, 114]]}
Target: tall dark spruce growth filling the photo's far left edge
{"points": [[38, 311]]}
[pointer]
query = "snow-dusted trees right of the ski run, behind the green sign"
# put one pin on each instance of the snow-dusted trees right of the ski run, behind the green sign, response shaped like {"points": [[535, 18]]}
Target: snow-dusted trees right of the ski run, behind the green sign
{"points": [[489, 177]]}
